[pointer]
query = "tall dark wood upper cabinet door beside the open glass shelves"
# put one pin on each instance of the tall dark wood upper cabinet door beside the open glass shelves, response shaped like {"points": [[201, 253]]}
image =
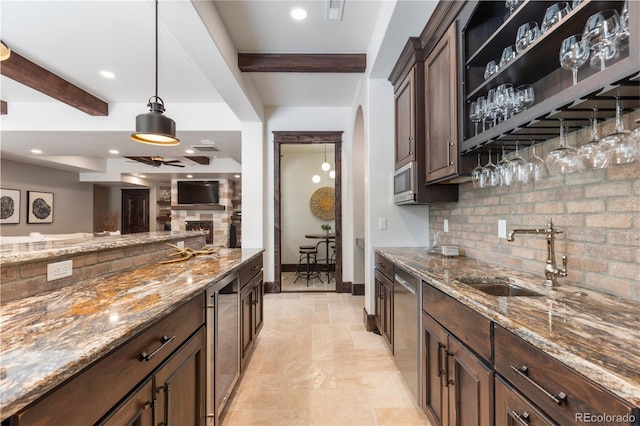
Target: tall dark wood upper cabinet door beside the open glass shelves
{"points": [[441, 124]]}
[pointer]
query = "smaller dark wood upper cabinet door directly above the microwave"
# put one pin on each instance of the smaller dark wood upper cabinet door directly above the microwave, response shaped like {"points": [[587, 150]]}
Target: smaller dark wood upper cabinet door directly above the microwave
{"points": [[405, 107]]}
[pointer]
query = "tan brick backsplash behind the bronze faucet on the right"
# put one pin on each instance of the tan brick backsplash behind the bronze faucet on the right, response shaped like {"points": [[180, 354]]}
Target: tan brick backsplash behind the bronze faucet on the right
{"points": [[597, 210]]}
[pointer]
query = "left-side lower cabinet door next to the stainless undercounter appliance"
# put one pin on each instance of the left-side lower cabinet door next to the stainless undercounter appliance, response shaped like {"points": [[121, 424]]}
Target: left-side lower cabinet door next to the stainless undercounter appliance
{"points": [[179, 385]]}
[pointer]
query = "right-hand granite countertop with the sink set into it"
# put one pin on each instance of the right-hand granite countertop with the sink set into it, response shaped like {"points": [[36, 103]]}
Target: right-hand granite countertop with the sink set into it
{"points": [[594, 333]]}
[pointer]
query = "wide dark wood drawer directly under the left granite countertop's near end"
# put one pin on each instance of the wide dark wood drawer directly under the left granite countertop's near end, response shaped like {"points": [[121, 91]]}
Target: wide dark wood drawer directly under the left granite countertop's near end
{"points": [[91, 393]]}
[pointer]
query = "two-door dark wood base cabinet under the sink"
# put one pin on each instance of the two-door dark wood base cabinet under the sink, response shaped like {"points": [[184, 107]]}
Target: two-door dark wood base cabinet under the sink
{"points": [[457, 386]]}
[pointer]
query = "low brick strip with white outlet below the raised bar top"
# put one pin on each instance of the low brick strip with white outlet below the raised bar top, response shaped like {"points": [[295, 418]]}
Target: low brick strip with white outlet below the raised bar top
{"points": [[30, 278]]}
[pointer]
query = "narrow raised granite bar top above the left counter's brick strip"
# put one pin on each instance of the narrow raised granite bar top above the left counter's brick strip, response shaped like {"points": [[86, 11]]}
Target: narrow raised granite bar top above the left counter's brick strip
{"points": [[26, 252]]}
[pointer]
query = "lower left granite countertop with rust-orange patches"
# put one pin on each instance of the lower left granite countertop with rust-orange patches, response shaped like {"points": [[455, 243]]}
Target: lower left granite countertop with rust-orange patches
{"points": [[46, 339]]}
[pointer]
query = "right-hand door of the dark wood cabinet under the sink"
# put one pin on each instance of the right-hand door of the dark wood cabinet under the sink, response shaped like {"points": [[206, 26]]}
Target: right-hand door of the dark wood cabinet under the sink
{"points": [[470, 385]]}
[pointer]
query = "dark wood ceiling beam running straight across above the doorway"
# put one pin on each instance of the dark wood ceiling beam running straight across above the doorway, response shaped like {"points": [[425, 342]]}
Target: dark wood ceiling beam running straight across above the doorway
{"points": [[294, 62]]}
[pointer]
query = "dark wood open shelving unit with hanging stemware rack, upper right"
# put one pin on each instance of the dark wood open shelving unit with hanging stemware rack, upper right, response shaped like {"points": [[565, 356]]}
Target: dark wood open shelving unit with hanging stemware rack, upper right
{"points": [[487, 32]]}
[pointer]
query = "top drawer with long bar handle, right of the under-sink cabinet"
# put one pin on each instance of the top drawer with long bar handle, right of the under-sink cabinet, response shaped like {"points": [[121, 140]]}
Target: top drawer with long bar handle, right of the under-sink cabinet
{"points": [[558, 390]]}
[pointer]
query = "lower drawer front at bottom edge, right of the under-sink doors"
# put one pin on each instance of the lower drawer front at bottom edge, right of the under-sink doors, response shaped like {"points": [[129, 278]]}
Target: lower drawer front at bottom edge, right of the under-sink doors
{"points": [[513, 409]]}
